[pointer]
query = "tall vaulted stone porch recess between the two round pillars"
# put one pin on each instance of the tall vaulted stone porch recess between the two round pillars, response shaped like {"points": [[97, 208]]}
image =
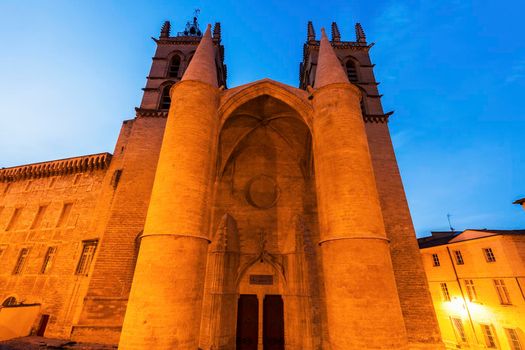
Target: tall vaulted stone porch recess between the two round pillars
{"points": [[264, 182]]}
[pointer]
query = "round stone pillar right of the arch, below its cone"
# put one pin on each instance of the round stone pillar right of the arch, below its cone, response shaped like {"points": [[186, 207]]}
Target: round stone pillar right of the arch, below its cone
{"points": [[363, 308]]}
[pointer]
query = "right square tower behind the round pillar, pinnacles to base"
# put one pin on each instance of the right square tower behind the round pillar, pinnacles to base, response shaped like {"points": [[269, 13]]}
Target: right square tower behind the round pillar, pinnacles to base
{"points": [[354, 57]]}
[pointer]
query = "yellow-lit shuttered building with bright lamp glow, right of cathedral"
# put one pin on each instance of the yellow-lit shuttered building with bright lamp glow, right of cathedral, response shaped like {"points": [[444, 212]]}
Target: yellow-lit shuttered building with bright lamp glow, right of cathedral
{"points": [[477, 282]]}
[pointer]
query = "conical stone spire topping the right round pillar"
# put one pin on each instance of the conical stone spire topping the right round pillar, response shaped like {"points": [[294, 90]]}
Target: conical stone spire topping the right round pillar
{"points": [[329, 69]]}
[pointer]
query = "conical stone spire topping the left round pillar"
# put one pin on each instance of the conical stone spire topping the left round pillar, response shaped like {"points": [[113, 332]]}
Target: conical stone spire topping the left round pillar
{"points": [[202, 66]]}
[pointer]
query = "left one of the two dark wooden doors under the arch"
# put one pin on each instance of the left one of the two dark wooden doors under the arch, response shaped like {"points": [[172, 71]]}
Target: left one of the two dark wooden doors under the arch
{"points": [[247, 322]]}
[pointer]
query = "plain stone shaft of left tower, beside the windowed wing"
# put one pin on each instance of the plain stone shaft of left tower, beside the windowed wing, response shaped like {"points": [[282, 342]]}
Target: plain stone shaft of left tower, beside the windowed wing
{"points": [[124, 211]]}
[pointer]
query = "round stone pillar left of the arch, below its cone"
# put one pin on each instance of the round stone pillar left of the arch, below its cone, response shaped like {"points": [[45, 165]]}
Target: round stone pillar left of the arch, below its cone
{"points": [[164, 308]]}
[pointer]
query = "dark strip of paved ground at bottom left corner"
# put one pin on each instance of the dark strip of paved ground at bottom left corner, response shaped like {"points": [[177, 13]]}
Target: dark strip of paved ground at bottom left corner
{"points": [[39, 343]]}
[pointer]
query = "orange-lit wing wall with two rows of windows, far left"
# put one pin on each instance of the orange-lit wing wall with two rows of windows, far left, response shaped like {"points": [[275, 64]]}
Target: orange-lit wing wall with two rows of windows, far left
{"points": [[60, 289]]}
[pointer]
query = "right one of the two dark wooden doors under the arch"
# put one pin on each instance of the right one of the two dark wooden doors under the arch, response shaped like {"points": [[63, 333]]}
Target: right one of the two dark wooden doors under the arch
{"points": [[273, 323]]}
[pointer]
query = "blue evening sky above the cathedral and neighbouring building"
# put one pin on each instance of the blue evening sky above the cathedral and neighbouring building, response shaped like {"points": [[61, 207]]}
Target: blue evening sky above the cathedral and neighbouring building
{"points": [[453, 71]]}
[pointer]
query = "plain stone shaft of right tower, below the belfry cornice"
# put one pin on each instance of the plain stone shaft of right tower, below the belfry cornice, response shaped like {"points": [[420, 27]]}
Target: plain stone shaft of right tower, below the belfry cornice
{"points": [[416, 303]]}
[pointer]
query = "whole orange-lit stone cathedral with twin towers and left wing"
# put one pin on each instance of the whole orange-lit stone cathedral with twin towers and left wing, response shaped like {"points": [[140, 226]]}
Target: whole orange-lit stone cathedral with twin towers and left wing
{"points": [[262, 216]]}
